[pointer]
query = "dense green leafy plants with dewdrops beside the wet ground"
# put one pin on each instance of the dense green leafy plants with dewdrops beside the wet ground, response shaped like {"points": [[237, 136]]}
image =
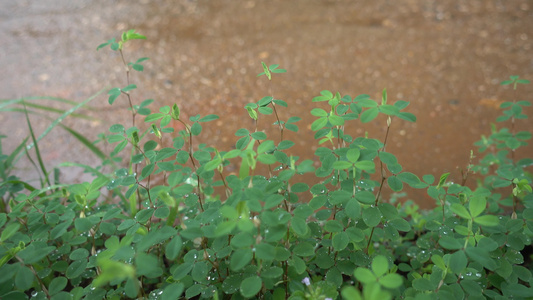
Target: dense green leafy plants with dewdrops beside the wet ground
{"points": [[201, 232]]}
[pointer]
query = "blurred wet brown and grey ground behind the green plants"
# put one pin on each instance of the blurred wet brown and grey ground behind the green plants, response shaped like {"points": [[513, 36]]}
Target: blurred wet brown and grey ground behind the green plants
{"points": [[445, 57]]}
